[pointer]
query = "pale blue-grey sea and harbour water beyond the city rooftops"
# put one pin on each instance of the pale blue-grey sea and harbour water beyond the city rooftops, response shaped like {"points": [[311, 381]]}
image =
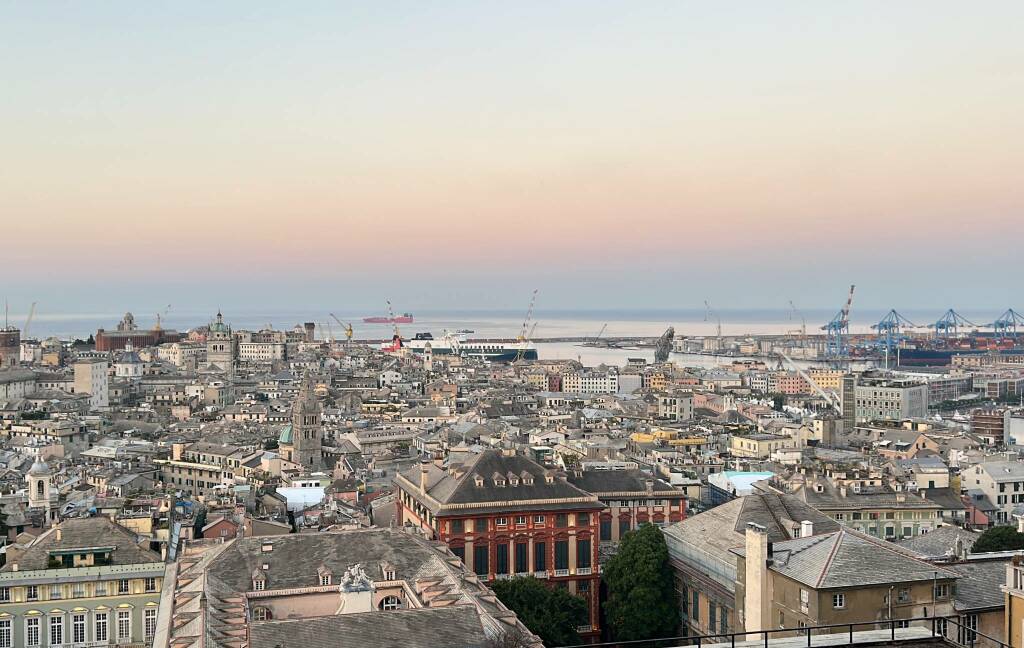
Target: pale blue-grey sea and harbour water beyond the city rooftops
{"points": [[505, 324]]}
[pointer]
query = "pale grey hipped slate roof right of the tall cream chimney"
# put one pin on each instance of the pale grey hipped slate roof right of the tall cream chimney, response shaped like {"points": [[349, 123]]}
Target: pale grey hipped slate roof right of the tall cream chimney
{"points": [[849, 559]]}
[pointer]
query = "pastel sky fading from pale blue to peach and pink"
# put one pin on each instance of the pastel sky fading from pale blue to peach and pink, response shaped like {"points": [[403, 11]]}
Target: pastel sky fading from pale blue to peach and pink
{"points": [[458, 155]]}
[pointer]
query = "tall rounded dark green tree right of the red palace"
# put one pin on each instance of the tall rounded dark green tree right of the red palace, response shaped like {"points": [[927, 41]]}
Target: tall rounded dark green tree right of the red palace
{"points": [[643, 601]]}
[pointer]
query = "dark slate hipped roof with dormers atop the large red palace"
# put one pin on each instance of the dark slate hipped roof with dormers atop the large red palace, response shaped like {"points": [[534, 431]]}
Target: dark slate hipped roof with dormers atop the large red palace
{"points": [[463, 489]]}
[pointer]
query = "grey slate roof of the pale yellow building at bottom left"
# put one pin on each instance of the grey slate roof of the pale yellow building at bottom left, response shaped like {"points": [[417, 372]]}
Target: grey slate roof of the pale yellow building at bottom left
{"points": [[81, 534]]}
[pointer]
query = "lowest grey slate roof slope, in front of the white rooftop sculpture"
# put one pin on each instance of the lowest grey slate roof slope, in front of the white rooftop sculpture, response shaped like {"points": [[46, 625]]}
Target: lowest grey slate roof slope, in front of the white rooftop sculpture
{"points": [[458, 626]]}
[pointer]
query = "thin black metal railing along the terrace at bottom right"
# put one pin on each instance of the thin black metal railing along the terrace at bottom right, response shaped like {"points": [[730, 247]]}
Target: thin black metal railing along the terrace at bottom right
{"points": [[940, 629]]}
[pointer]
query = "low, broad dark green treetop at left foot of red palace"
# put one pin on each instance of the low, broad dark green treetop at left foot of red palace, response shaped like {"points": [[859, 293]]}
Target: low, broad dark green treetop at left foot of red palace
{"points": [[551, 614]]}
